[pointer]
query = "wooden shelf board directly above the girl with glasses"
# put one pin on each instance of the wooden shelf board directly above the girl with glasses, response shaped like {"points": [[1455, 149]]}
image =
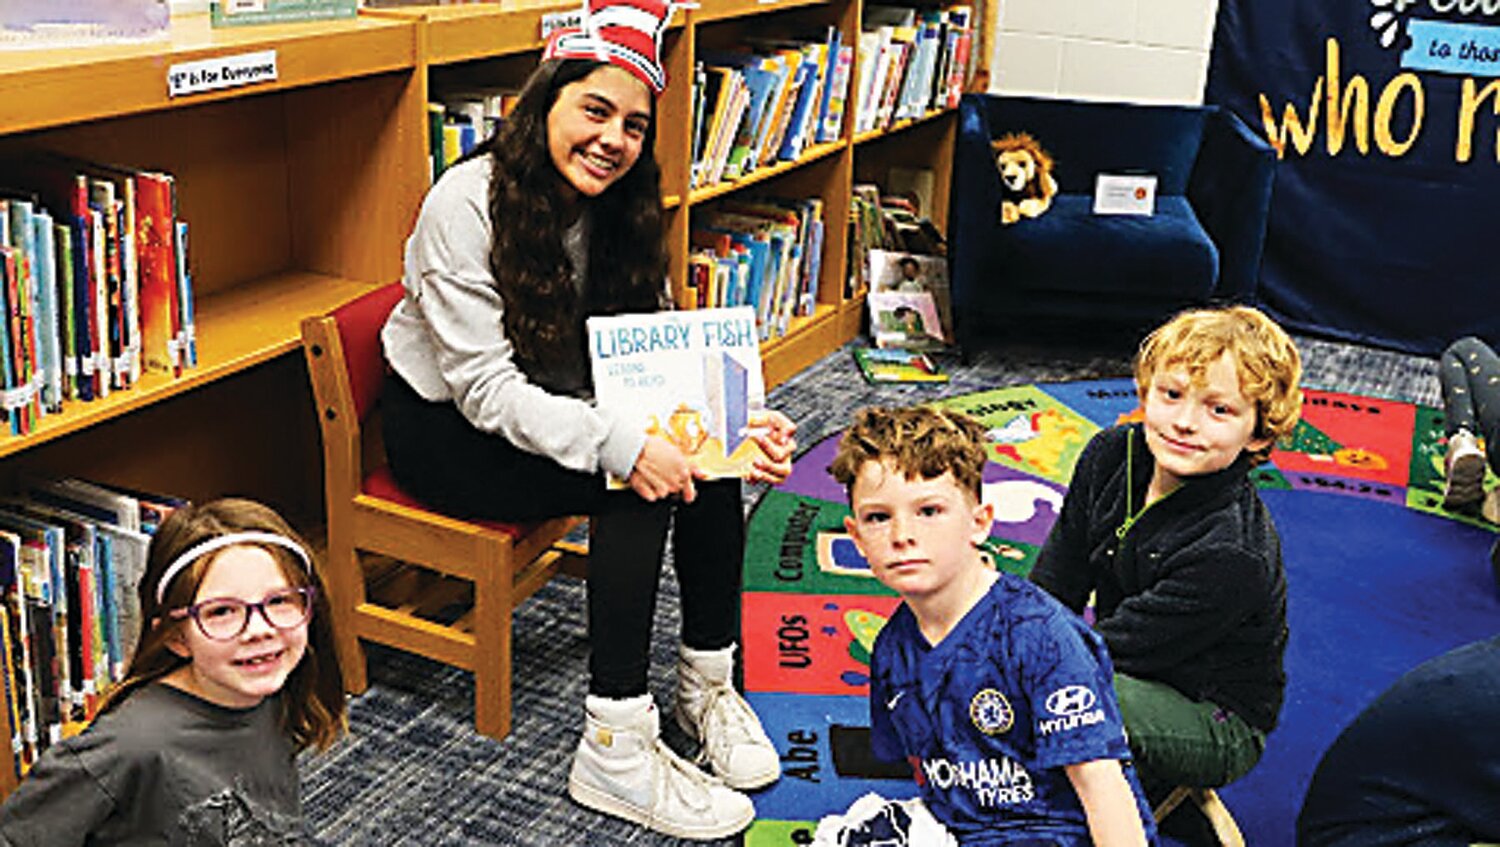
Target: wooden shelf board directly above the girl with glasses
{"points": [[236, 331]]}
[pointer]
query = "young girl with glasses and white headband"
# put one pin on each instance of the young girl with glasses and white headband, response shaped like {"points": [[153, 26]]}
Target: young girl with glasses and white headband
{"points": [[235, 675]]}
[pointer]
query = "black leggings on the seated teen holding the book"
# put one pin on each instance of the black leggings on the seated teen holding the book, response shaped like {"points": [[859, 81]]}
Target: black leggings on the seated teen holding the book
{"points": [[443, 461]]}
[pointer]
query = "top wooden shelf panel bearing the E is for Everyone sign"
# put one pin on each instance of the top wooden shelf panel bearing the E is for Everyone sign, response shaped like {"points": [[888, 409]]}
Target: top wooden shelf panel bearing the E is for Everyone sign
{"points": [[53, 88]]}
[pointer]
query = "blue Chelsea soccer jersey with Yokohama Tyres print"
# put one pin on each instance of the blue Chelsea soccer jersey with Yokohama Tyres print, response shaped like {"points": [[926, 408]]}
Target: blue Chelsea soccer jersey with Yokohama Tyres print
{"points": [[991, 716]]}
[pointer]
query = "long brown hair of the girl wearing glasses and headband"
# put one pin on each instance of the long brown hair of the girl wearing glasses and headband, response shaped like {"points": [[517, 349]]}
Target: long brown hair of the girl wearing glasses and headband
{"points": [[313, 698]]}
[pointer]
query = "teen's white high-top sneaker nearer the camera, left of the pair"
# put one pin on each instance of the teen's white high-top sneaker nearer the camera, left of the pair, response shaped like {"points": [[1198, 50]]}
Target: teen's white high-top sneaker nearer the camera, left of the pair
{"points": [[622, 768]]}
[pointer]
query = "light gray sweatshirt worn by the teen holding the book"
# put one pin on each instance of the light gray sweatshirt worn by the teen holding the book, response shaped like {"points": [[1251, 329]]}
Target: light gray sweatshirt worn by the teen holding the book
{"points": [[446, 338]]}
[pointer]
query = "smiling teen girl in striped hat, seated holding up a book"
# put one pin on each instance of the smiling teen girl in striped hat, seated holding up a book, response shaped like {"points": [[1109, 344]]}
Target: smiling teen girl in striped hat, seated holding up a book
{"points": [[490, 415]]}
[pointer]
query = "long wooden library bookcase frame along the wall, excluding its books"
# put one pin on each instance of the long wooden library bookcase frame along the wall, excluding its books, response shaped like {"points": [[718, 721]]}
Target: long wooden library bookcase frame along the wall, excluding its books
{"points": [[302, 187]]}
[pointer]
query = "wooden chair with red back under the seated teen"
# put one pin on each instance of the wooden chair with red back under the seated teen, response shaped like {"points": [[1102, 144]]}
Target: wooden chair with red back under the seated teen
{"points": [[397, 569]]}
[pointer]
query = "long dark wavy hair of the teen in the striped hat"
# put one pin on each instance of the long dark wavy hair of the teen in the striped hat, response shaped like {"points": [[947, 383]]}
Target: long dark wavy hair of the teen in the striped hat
{"points": [[626, 259]]}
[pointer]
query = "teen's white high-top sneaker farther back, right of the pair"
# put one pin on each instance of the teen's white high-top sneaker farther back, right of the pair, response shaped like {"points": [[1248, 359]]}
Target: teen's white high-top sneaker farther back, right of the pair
{"points": [[712, 711]]}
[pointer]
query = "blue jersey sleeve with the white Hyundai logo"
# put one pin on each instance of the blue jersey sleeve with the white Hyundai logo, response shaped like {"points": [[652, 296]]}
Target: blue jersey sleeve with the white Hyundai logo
{"points": [[1072, 693]]}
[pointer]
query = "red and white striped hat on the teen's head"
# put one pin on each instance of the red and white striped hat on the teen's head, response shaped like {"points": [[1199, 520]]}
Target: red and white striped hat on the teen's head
{"points": [[622, 32]]}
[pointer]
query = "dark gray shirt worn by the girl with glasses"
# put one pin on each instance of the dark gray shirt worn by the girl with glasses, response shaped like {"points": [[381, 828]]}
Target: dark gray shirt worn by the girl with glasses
{"points": [[163, 768]]}
